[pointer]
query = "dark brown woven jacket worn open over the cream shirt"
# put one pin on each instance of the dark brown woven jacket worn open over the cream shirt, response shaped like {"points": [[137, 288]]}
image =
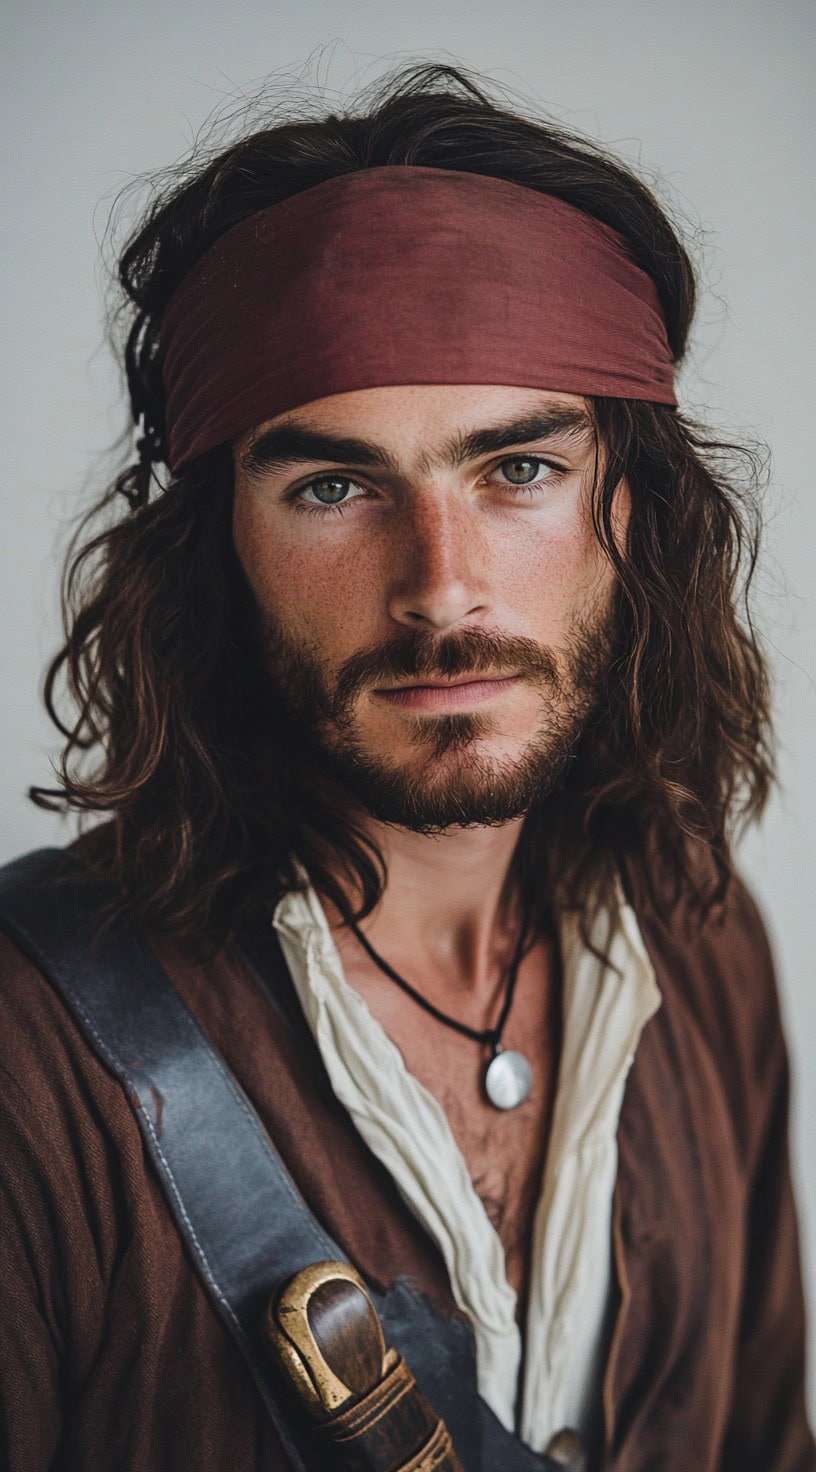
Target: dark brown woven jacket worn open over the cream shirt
{"points": [[111, 1356]]}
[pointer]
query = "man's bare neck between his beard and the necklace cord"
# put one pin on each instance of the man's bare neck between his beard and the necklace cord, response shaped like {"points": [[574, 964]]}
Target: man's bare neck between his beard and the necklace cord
{"points": [[447, 905]]}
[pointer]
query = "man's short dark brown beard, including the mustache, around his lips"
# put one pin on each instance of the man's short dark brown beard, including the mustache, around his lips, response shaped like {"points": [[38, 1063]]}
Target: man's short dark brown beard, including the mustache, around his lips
{"points": [[456, 782]]}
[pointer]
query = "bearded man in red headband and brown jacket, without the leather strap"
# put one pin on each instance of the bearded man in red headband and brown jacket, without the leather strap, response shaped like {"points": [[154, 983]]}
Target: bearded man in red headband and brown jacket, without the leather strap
{"points": [[423, 712]]}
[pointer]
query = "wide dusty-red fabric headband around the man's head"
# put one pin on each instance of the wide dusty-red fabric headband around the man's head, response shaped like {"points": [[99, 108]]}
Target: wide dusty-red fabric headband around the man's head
{"points": [[406, 276]]}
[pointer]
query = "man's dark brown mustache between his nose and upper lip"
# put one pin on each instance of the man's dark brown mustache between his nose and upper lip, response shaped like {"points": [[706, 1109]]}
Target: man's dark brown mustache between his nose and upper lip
{"points": [[425, 656]]}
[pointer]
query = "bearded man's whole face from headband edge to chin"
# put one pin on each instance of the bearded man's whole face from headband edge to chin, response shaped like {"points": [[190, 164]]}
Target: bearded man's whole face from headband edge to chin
{"points": [[437, 610]]}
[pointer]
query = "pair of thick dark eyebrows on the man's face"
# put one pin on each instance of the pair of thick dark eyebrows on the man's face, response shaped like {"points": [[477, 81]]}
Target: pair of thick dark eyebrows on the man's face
{"points": [[295, 442]]}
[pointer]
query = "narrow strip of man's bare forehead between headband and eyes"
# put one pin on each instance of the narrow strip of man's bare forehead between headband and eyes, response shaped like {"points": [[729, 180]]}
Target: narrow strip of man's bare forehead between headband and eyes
{"points": [[422, 426]]}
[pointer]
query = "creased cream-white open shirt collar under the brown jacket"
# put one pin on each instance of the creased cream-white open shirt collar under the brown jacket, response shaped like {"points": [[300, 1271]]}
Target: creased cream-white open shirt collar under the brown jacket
{"points": [[558, 1381]]}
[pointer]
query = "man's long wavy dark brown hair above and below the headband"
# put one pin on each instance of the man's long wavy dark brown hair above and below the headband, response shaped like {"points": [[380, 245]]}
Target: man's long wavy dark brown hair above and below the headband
{"points": [[175, 728]]}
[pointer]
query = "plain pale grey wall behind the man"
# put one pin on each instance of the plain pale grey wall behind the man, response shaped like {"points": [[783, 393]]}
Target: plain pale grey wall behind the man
{"points": [[714, 101]]}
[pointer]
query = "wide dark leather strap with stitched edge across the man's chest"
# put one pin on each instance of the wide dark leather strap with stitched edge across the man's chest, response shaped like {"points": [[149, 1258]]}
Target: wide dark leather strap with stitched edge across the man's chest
{"points": [[238, 1211]]}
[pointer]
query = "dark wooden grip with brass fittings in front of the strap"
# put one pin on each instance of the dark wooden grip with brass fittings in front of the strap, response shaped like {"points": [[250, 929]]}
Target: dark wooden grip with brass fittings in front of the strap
{"points": [[363, 1401]]}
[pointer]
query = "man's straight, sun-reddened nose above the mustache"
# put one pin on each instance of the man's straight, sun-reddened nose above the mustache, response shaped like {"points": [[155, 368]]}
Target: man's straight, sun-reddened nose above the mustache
{"points": [[438, 565]]}
